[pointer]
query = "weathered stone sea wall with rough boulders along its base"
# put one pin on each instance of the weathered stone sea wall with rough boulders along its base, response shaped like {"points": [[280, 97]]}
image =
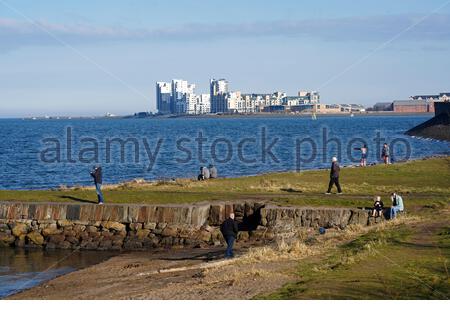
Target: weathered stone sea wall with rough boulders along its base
{"points": [[138, 227]]}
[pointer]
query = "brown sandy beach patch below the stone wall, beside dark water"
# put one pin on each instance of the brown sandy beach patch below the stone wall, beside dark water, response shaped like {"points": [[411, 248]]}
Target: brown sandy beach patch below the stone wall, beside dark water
{"points": [[137, 275]]}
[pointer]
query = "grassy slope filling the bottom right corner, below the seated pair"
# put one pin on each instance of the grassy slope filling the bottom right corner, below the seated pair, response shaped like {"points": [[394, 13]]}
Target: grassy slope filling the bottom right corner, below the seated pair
{"points": [[408, 261]]}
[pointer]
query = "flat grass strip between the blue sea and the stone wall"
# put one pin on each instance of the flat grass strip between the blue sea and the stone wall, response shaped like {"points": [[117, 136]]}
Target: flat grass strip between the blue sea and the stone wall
{"points": [[421, 182]]}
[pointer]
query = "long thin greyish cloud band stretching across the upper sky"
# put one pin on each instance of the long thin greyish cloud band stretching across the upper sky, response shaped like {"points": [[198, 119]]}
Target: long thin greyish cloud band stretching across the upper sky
{"points": [[15, 33]]}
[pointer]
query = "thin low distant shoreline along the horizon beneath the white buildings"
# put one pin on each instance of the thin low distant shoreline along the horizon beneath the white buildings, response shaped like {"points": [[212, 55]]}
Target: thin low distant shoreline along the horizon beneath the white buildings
{"points": [[227, 116]]}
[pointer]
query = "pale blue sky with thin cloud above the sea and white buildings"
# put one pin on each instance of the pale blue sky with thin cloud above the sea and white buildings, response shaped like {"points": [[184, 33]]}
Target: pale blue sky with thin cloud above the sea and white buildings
{"points": [[93, 57]]}
